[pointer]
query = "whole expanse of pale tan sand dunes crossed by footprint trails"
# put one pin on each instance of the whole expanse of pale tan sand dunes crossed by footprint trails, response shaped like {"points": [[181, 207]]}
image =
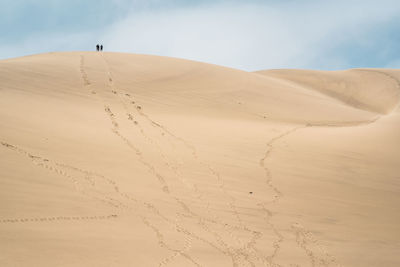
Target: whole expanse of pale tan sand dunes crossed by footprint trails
{"points": [[131, 160]]}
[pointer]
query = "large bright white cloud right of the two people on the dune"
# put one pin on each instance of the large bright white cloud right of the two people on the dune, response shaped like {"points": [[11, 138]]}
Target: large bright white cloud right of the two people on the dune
{"points": [[250, 36]]}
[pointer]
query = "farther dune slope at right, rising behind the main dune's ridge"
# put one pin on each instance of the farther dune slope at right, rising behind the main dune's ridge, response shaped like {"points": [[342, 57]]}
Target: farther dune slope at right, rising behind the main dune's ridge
{"points": [[374, 90]]}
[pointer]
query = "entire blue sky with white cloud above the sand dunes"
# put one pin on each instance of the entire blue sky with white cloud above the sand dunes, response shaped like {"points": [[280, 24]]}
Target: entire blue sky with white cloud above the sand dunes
{"points": [[249, 35]]}
